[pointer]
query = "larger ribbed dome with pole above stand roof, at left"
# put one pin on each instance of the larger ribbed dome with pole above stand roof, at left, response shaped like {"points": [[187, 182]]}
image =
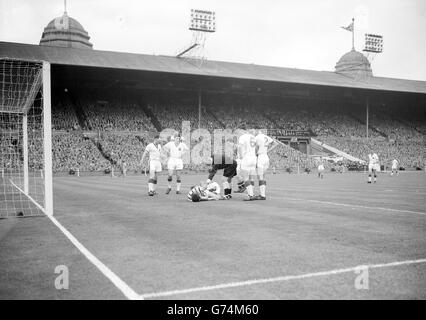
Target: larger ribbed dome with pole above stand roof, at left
{"points": [[65, 32]]}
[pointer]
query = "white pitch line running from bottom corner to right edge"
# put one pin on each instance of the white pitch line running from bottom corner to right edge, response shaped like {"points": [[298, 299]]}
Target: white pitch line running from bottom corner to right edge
{"points": [[278, 279]]}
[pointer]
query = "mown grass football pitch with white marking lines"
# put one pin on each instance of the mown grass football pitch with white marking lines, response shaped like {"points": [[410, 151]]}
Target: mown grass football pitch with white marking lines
{"points": [[331, 238]]}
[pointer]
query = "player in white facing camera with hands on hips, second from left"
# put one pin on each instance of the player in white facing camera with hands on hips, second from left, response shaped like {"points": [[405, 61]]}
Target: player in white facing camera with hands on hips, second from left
{"points": [[175, 150]]}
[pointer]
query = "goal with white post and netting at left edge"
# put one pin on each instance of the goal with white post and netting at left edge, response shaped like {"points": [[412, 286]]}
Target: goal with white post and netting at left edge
{"points": [[25, 139]]}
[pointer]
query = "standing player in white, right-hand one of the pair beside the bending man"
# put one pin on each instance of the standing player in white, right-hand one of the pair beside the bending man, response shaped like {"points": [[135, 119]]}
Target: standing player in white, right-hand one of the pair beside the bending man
{"points": [[263, 142]]}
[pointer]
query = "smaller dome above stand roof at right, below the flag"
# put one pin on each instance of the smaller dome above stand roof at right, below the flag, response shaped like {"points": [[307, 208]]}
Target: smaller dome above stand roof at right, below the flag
{"points": [[354, 63]]}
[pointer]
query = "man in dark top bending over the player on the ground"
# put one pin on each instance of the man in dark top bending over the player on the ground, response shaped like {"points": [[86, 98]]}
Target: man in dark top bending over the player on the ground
{"points": [[229, 167]]}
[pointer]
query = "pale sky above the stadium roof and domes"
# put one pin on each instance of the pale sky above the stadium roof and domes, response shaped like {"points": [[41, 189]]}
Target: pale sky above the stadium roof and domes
{"points": [[303, 34]]}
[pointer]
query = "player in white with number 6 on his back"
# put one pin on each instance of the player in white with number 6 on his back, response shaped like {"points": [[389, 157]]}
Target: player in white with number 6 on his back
{"points": [[247, 154]]}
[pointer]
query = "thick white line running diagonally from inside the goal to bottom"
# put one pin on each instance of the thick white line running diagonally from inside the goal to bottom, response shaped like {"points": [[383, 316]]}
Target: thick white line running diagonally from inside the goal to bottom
{"points": [[128, 292]]}
